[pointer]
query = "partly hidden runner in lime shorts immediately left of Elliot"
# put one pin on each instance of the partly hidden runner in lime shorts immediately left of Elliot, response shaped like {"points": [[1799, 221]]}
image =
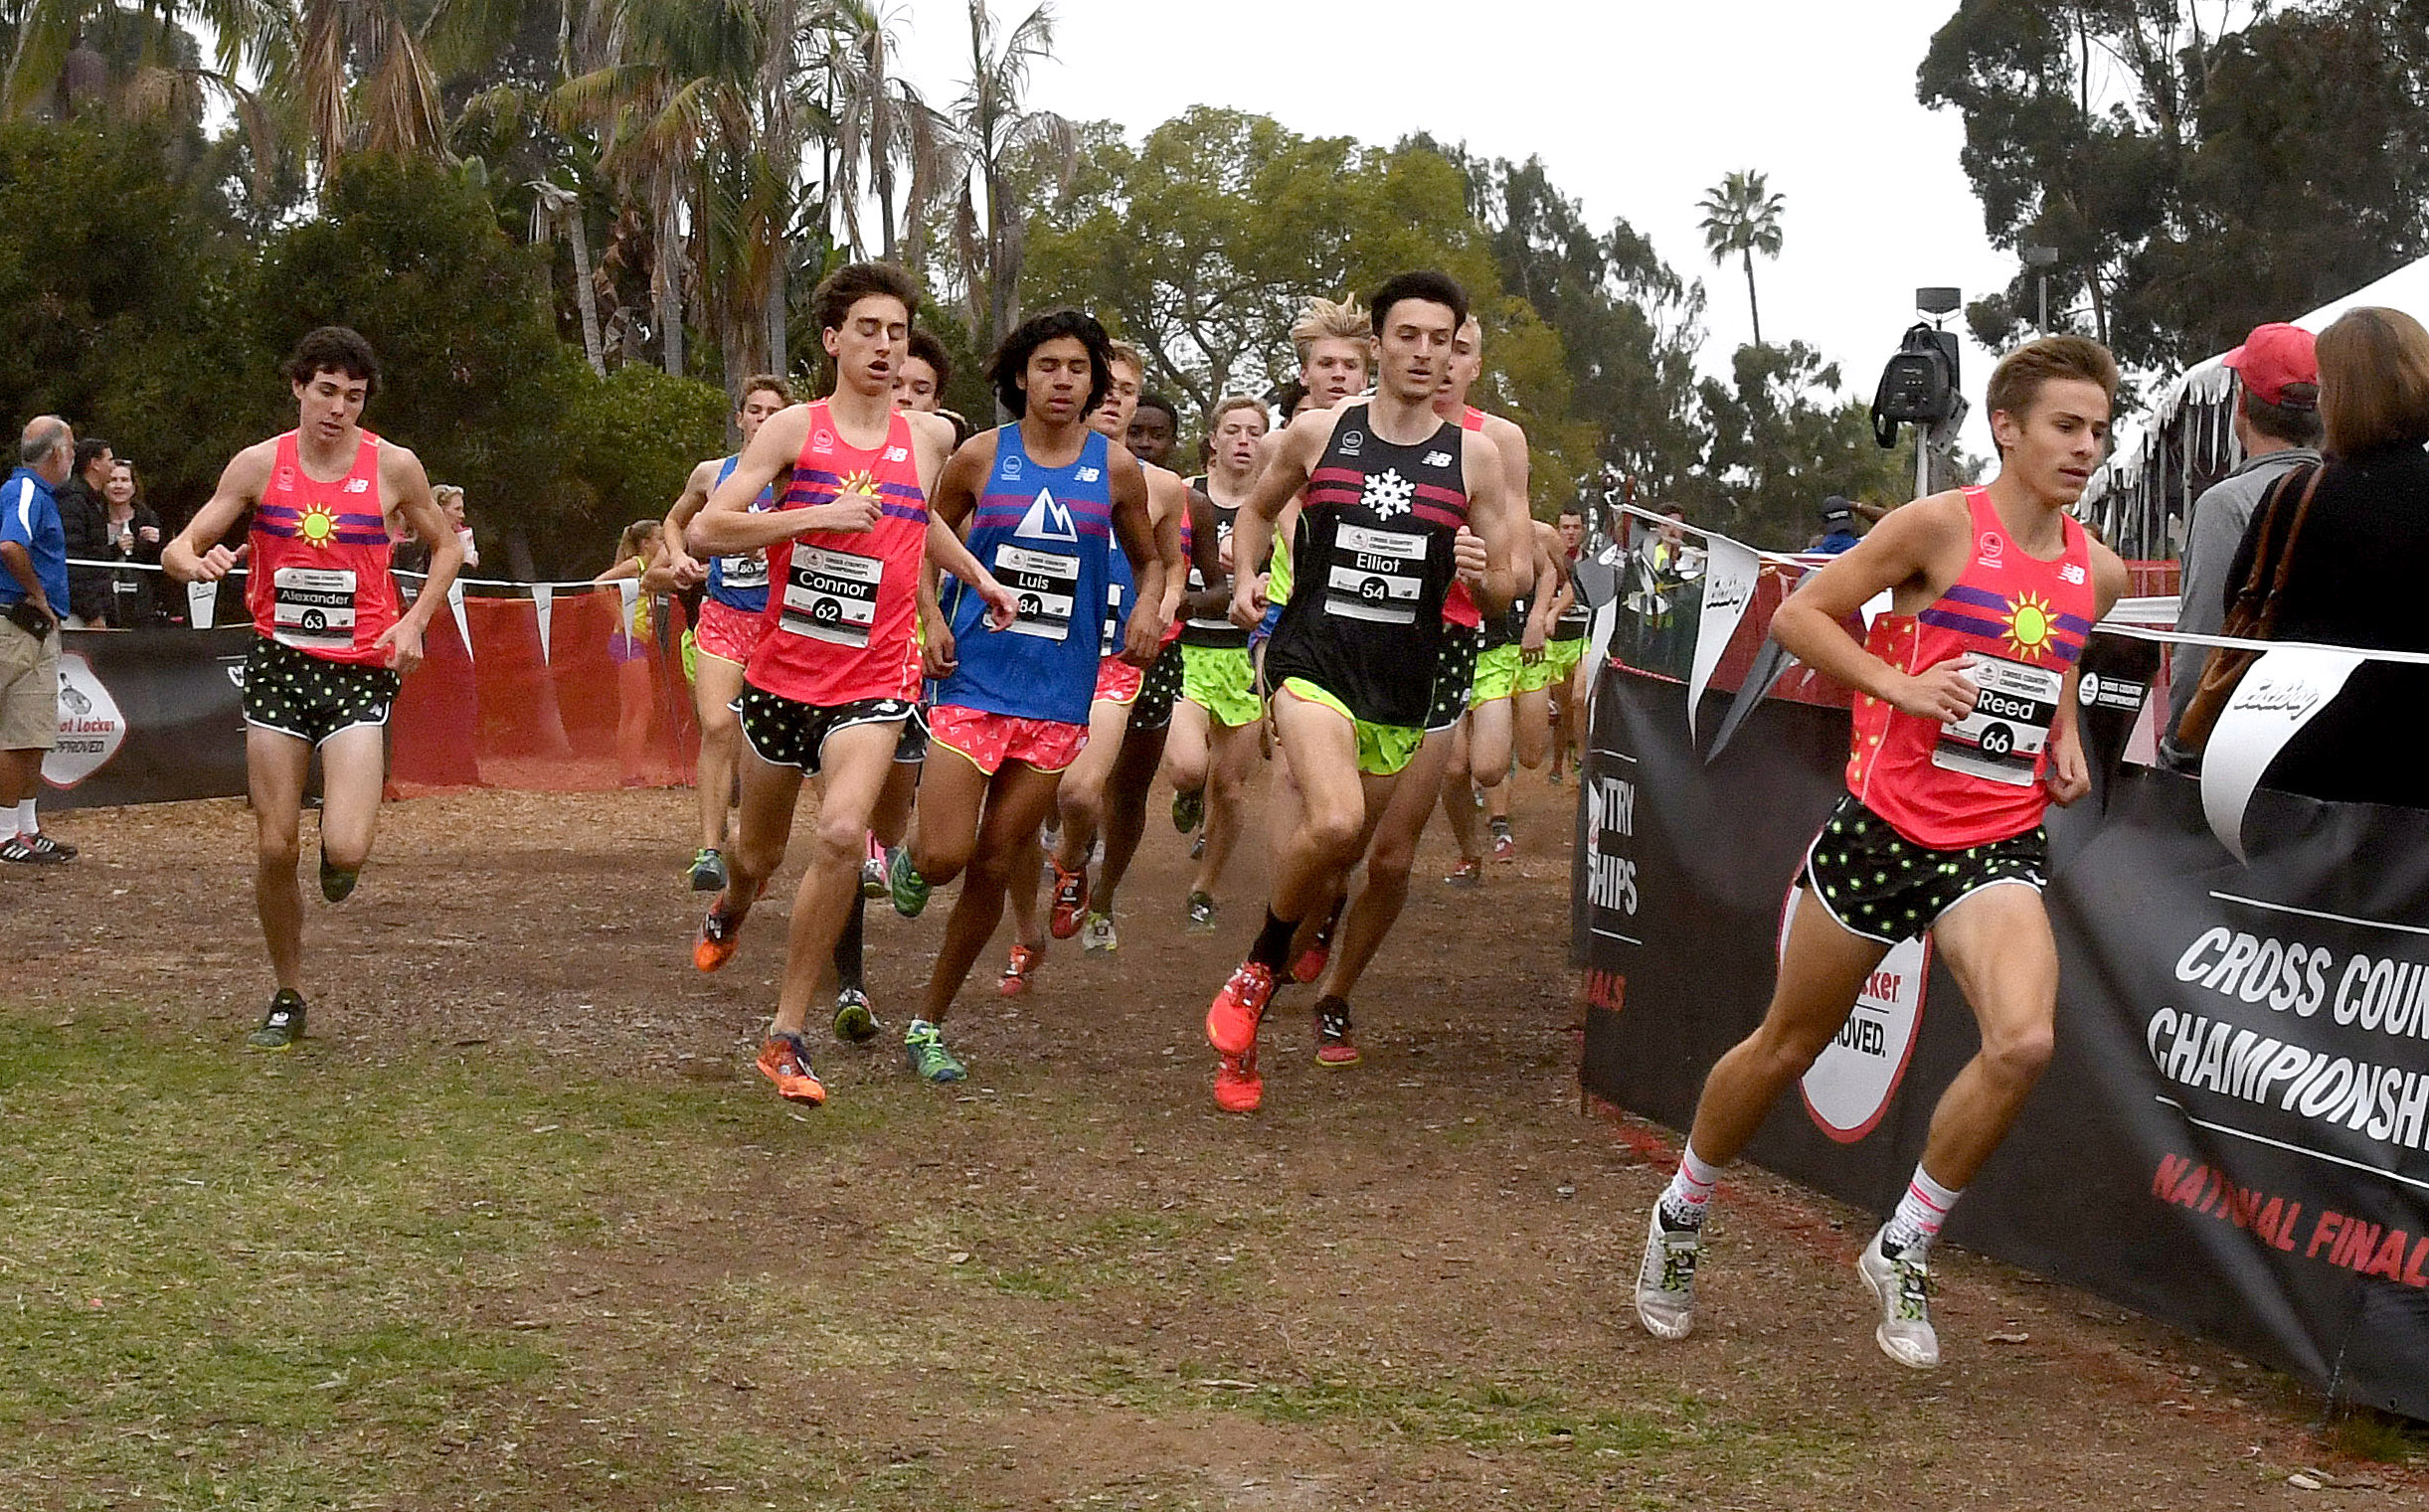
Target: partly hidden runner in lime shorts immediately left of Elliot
{"points": [[1213, 744]]}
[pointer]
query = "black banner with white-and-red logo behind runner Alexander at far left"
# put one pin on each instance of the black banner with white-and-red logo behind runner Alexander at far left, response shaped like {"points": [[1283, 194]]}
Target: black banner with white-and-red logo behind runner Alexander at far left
{"points": [[149, 717]]}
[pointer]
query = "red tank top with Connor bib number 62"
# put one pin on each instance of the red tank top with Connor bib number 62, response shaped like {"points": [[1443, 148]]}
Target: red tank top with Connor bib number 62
{"points": [[844, 608]]}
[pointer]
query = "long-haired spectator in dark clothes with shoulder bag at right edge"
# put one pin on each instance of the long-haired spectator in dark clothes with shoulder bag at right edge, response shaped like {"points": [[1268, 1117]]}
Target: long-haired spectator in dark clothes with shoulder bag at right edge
{"points": [[2360, 559]]}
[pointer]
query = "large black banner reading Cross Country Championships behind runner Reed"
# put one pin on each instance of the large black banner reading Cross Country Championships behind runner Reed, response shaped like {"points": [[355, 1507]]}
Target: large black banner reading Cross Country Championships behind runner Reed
{"points": [[2233, 1127]]}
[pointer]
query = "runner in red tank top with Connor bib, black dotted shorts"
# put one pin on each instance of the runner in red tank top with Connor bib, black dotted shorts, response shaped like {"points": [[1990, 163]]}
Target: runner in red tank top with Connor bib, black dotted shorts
{"points": [[837, 671]]}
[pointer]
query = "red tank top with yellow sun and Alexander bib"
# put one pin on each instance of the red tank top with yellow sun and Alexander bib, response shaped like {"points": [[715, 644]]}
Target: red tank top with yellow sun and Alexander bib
{"points": [[319, 576]]}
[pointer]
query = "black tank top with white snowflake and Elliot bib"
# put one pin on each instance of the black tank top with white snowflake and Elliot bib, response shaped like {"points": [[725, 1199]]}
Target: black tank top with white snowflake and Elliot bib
{"points": [[1374, 564]]}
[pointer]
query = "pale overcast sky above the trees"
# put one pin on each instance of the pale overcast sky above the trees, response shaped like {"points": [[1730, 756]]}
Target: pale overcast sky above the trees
{"points": [[1634, 108]]}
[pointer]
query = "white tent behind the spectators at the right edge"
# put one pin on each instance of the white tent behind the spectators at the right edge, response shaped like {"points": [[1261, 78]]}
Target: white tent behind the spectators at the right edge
{"points": [[2158, 467]]}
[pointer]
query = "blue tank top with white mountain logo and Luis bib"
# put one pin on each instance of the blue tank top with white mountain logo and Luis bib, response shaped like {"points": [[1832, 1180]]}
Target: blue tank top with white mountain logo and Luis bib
{"points": [[1048, 538]]}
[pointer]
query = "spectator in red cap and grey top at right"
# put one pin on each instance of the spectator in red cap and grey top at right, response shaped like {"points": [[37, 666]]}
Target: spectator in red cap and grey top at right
{"points": [[2277, 424]]}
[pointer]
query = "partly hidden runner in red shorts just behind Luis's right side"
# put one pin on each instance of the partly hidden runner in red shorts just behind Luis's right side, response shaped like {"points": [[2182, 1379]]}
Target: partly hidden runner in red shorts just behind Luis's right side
{"points": [[1119, 686]]}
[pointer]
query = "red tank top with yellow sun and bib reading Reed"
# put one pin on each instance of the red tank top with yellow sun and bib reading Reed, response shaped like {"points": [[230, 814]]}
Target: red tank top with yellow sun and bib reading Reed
{"points": [[2025, 625]]}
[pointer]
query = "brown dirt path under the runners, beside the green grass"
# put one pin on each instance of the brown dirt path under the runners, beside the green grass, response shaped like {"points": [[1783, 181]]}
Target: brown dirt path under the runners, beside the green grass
{"points": [[1075, 1283]]}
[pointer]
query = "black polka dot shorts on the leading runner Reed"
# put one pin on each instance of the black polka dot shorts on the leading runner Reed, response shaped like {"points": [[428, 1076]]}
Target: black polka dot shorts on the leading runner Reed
{"points": [[1884, 887]]}
